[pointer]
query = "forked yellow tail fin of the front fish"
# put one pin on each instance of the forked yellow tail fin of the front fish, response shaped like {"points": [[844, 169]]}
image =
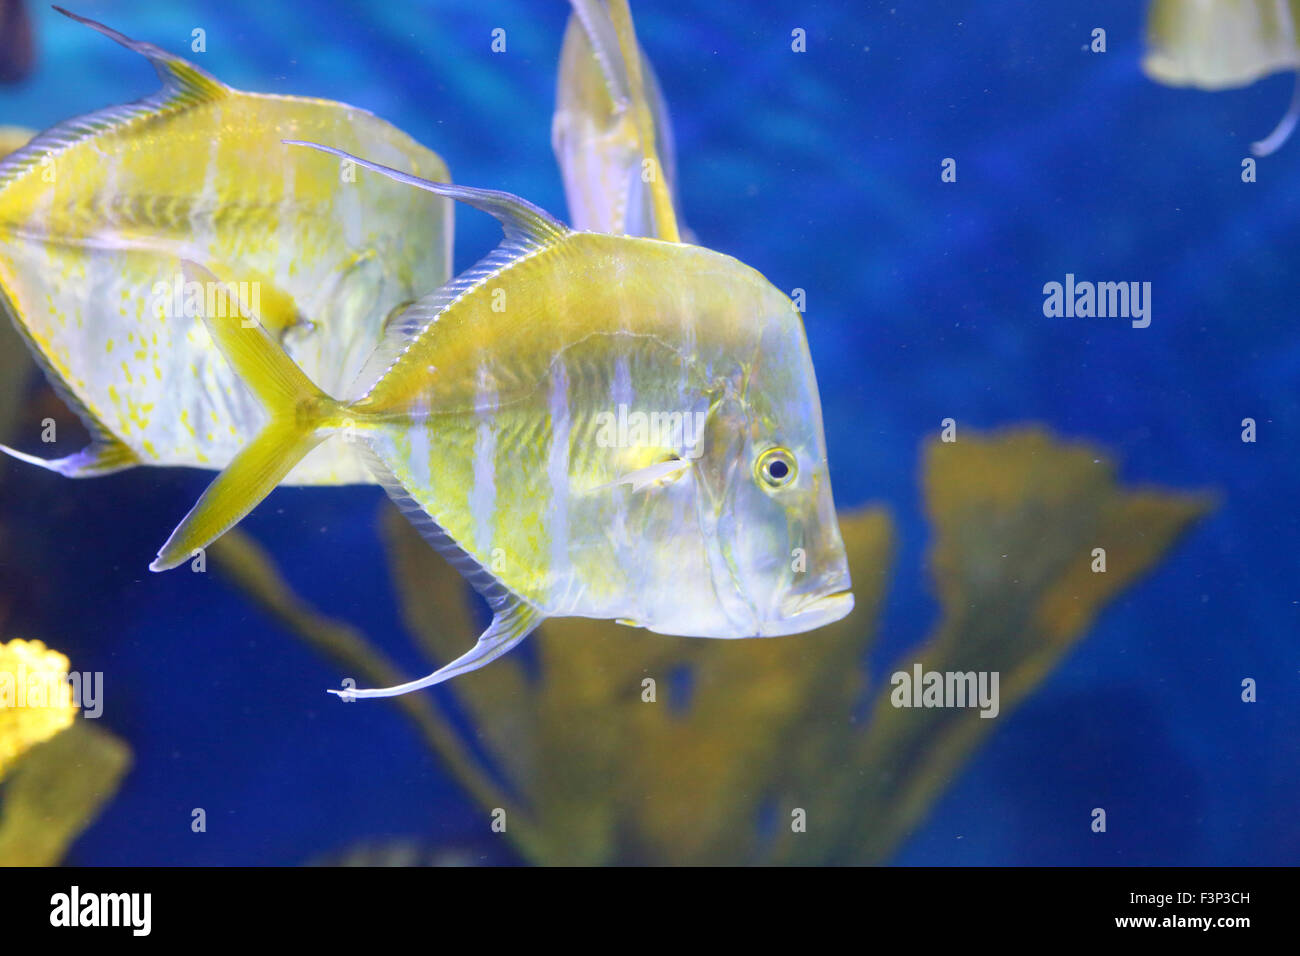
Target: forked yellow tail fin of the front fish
{"points": [[302, 417]]}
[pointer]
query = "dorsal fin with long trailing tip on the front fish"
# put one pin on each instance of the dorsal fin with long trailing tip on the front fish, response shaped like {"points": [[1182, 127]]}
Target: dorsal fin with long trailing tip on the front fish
{"points": [[528, 228]]}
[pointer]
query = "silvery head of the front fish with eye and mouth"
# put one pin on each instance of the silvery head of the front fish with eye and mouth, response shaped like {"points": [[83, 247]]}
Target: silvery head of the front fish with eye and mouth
{"points": [[769, 531]]}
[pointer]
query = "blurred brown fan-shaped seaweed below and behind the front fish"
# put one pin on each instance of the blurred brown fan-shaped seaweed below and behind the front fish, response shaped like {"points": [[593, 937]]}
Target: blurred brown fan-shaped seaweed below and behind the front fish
{"points": [[752, 751]]}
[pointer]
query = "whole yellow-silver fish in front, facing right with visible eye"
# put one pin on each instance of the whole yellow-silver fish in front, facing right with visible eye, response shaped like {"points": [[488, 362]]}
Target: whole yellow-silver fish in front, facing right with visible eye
{"points": [[587, 426]]}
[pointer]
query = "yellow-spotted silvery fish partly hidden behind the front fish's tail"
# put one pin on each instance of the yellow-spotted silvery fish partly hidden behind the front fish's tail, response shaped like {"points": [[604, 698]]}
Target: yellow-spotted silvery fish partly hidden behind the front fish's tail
{"points": [[98, 214]]}
